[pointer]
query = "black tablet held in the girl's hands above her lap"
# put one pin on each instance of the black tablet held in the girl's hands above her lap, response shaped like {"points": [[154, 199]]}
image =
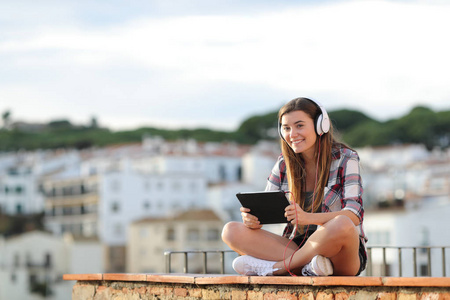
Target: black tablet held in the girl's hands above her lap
{"points": [[268, 207]]}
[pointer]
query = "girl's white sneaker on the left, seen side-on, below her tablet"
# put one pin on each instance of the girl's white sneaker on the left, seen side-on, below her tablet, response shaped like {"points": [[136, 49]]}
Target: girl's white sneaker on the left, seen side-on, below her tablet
{"points": [[250, 266]]}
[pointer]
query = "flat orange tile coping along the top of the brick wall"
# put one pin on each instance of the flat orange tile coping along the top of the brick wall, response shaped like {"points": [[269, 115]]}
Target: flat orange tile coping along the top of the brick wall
{"points": [[216, 279]]}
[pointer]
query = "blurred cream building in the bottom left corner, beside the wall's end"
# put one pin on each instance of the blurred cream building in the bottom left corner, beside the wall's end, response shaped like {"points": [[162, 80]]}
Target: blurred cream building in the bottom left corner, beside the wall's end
{"points": [[32, 265]]}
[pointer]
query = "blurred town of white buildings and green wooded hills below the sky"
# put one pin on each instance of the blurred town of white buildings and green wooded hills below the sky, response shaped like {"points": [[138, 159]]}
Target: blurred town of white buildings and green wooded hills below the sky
{"points": [[84, 199]]}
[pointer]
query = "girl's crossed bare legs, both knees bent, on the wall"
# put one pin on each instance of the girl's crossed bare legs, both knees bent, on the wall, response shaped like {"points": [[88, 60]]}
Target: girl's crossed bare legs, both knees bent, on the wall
{"points": [[337, 239]]}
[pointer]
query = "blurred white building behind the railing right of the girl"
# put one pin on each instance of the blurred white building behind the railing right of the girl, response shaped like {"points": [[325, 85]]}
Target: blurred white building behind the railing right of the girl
{"points": [[423, 225]]}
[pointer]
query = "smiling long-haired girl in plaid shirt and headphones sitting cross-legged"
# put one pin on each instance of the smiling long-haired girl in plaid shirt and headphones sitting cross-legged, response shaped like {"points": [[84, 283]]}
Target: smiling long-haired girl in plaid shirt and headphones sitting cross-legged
{"points": [[321, 178]]}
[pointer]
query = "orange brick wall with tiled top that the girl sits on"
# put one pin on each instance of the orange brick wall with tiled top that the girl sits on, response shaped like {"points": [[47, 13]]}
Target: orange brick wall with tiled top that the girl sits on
{"points": [[232, 287]]}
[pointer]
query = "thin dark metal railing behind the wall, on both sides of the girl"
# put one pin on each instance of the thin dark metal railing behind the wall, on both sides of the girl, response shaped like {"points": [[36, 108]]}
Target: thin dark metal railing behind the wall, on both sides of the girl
{"points": [[420, 256]]}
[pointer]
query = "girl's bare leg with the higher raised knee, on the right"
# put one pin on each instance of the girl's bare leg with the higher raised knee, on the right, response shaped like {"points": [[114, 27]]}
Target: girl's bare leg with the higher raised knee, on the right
{"points": [[337, 239]]}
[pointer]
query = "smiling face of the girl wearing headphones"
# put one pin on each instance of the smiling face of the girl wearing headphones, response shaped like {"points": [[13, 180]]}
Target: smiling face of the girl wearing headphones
{"points": [[297, 128]]}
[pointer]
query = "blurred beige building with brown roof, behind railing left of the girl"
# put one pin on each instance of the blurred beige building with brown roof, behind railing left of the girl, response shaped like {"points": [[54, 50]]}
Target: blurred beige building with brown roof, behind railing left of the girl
{"points": [[191, 230]]}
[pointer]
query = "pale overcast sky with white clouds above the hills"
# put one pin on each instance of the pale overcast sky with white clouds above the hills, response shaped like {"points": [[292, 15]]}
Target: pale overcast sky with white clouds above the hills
{"points": [[192, 63]]}
